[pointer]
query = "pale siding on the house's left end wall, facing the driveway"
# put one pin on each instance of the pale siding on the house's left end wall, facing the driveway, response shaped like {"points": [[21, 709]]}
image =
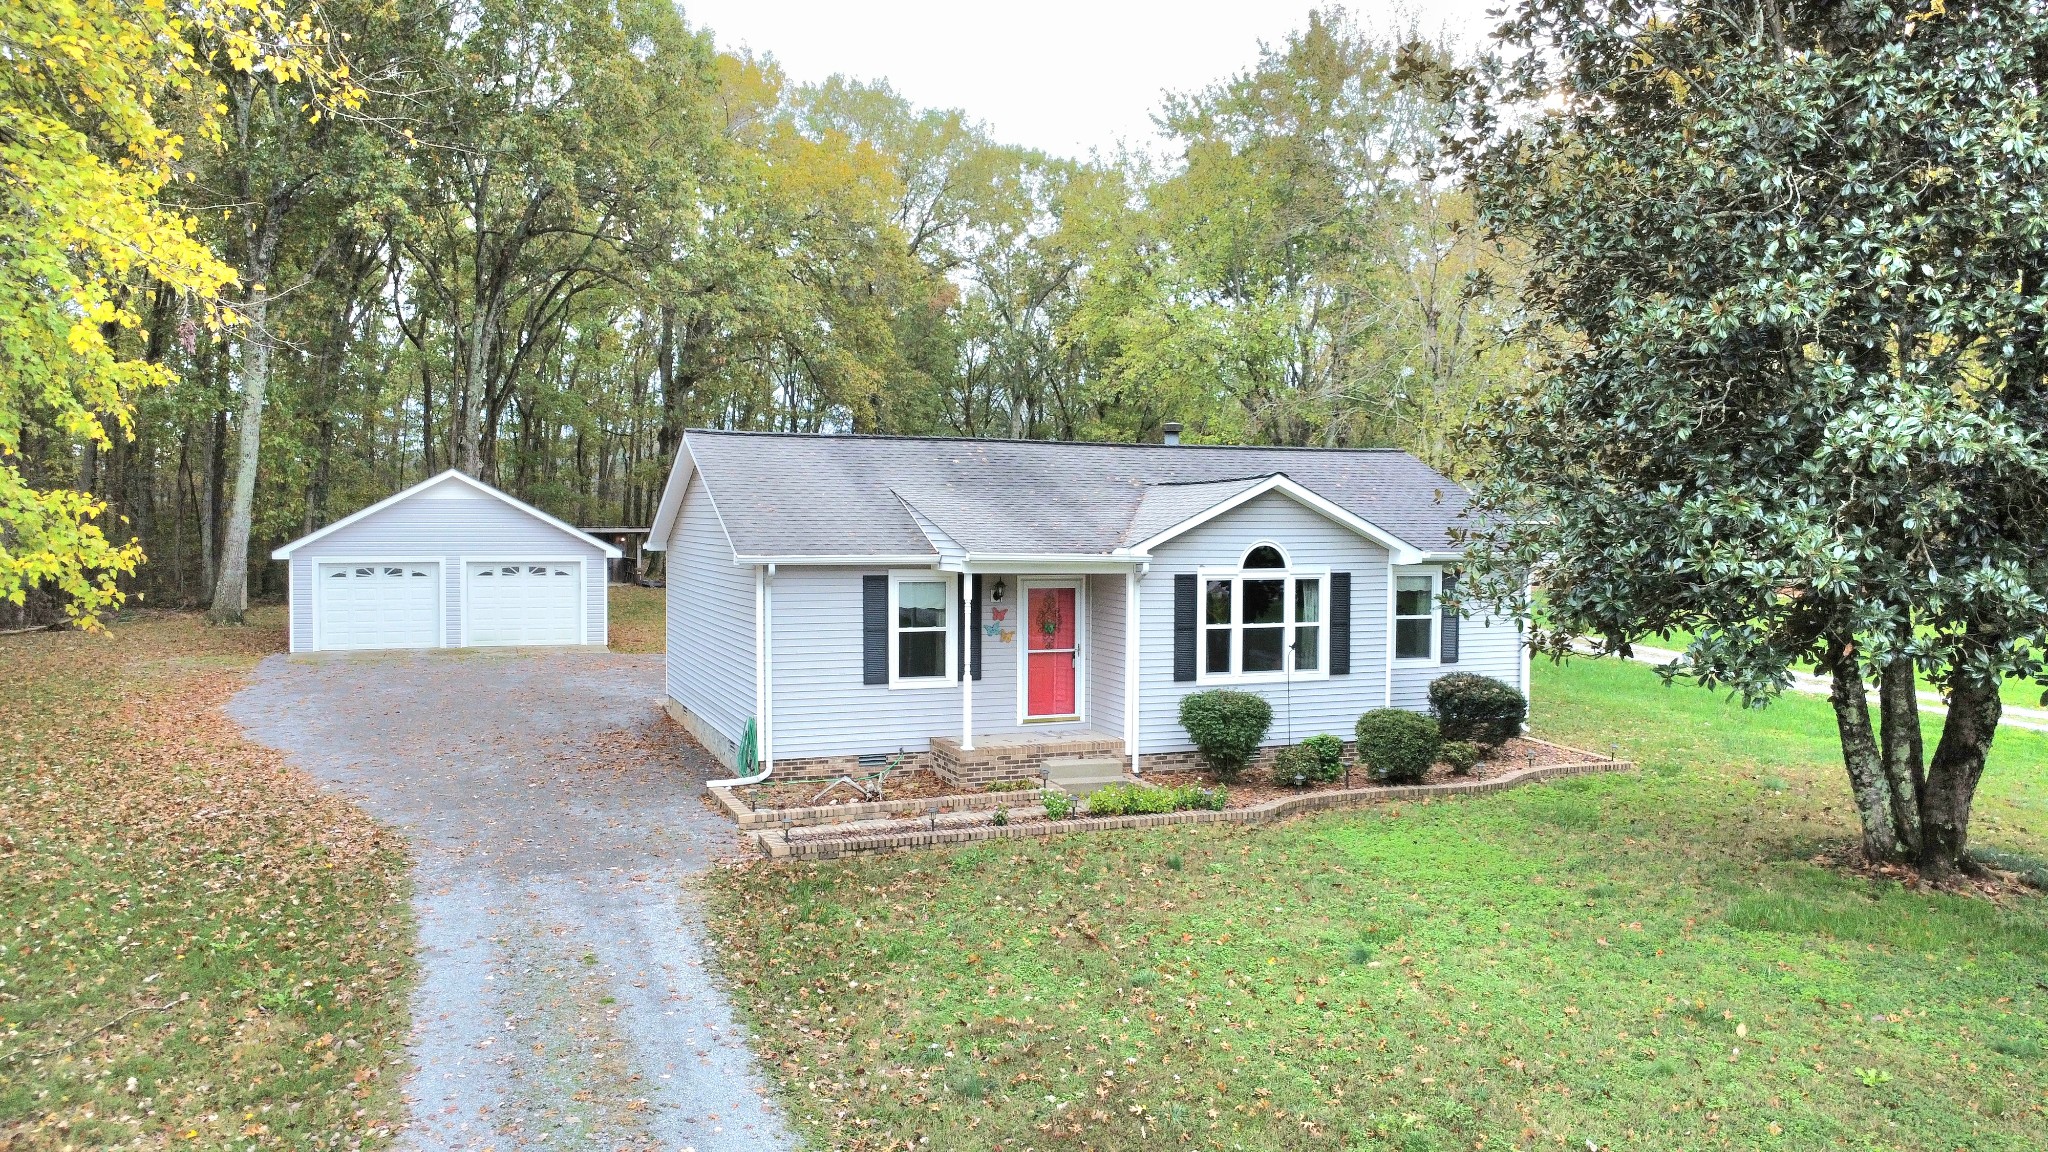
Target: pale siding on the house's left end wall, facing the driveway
{"points": [[710, 620]]}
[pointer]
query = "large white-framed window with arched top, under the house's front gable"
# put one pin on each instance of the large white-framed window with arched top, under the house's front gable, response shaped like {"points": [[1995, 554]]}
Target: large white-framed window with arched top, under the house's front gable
{"points": [[1263, 620]]}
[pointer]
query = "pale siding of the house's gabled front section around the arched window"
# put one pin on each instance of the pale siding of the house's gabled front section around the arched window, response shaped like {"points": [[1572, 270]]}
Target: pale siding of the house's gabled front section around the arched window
{"points": [[1306, 706]]}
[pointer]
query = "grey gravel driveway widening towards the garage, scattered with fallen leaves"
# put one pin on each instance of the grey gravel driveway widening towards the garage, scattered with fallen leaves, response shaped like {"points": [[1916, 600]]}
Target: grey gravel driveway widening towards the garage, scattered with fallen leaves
{"points": [[562, 995]]}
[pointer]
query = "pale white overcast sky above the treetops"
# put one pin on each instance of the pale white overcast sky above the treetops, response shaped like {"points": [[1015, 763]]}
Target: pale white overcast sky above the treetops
{"points": [[1066, 77]]}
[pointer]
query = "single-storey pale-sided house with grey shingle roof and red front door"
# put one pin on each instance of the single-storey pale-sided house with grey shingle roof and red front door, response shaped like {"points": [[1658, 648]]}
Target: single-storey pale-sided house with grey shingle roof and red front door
{"points": [[986, 606]]}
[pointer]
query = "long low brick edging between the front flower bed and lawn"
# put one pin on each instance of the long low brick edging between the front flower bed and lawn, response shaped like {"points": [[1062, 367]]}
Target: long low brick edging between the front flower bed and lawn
{"points": [[777, 846]]}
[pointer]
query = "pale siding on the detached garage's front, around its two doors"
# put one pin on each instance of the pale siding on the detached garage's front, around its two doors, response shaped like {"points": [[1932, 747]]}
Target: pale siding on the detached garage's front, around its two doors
{"points": [[450, 524]]}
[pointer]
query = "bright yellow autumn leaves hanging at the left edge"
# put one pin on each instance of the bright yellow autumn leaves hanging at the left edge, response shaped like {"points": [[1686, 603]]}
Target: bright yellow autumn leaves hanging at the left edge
{"points": [[85, 153]]}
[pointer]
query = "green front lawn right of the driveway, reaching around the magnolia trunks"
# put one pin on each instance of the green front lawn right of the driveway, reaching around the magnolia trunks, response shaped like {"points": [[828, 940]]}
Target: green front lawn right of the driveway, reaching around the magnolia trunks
{"points": [[1641, 960]]}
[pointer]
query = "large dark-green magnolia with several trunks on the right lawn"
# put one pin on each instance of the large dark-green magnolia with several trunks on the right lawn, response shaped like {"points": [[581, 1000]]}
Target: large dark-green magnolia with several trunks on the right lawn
{"points": [[1787, 290]]}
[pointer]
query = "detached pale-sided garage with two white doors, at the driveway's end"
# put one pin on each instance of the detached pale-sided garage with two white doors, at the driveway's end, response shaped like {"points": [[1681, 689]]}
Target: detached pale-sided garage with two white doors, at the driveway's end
{"points": [[450, 563]]}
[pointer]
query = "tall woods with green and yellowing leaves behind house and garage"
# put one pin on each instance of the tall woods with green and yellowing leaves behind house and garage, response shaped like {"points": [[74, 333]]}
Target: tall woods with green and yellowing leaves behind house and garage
{"points": [[552, 235]]}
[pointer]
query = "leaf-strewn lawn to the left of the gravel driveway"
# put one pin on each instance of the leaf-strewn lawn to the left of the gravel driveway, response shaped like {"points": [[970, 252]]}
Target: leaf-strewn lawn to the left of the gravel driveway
{"points": [[200, 948]]}
